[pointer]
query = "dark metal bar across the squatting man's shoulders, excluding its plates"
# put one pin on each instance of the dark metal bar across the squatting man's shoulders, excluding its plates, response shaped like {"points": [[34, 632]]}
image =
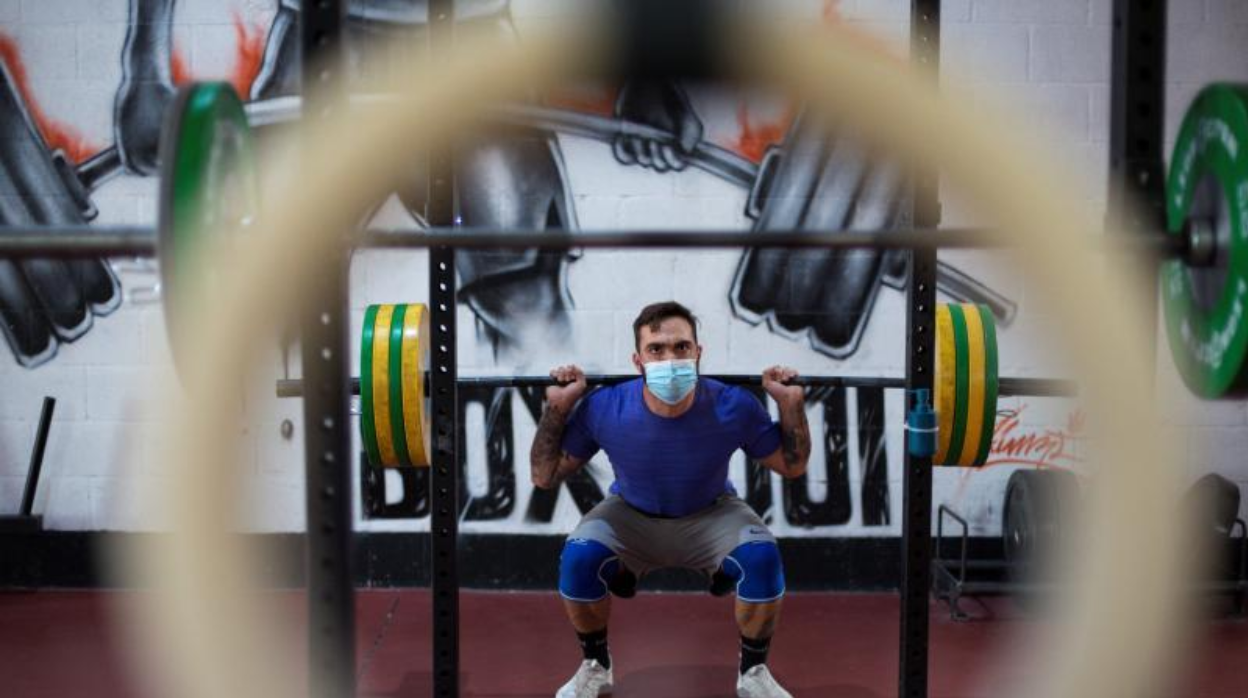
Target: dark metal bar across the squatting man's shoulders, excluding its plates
{"points": [[1034, 388]]}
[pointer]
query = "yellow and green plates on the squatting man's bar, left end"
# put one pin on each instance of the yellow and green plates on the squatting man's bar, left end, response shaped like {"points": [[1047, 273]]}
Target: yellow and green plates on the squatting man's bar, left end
{"points": [[394, 399]]}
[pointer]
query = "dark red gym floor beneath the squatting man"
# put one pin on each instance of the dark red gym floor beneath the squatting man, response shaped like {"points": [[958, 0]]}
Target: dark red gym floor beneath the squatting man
{"points": [[64, 645]]}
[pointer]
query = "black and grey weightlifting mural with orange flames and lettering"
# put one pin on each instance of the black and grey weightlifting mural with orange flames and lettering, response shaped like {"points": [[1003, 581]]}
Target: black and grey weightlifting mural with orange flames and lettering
{"points": [[797, 173]]}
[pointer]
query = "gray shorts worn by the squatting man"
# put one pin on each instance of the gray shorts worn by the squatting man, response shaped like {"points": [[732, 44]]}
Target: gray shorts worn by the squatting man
{"points": [[698, 541]]}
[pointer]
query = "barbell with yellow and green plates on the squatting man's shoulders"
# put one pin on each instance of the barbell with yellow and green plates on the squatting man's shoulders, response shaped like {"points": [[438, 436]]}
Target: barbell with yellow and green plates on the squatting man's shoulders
{"points": [[395, 401]]}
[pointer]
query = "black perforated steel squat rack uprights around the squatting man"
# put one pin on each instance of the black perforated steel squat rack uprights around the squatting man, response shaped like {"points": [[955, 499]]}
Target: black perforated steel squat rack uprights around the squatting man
{"points": [[331, 605]]}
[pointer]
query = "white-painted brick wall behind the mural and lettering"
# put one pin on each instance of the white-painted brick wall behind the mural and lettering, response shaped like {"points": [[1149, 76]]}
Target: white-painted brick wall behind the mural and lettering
{"points": [[1049, 61]]}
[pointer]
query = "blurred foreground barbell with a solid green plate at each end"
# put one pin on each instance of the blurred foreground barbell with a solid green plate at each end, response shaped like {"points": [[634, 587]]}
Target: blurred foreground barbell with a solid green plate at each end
{"points": [[209, 179]]}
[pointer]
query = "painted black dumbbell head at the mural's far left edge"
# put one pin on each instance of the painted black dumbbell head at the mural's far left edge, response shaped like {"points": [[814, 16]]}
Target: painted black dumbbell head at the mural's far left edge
{"points": [[46, 303]]}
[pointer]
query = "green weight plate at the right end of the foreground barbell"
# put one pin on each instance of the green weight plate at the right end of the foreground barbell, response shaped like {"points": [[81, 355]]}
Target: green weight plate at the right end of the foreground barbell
{"points": [[1205, 307]]}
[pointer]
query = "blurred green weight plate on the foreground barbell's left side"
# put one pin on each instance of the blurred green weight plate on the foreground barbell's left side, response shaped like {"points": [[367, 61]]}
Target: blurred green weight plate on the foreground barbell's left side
{"points": [[208, 184]]}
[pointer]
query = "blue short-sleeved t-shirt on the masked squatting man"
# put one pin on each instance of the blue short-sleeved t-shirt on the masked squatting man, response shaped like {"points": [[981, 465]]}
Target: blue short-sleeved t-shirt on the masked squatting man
{"points": [[671, 466]]}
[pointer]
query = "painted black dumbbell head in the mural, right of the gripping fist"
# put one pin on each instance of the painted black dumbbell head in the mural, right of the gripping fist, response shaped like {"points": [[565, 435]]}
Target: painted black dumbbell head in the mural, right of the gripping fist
{"points": [[814, 182]]}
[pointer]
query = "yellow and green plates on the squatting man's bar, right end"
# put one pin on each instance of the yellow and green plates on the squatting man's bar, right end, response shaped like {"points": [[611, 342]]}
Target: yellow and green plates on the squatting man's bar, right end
{"points": [[967, 384]]}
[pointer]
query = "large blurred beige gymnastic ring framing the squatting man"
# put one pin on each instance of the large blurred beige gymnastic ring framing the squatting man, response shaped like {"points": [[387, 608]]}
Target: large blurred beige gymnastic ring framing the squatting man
{"points": [[205, 627]]}
